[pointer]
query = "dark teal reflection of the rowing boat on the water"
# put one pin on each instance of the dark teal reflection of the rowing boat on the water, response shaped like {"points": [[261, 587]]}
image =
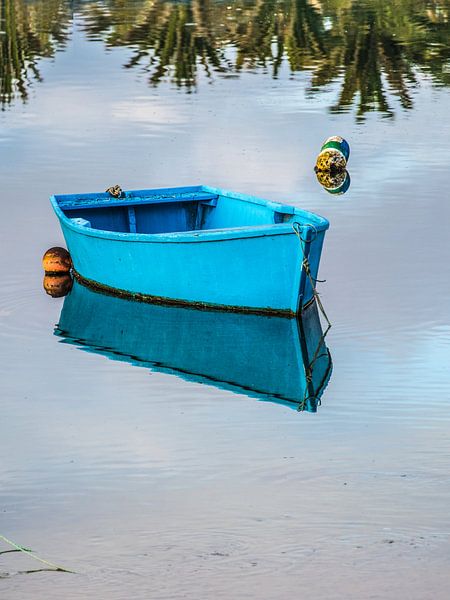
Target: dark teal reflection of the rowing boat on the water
{"points": [[270, 358]]}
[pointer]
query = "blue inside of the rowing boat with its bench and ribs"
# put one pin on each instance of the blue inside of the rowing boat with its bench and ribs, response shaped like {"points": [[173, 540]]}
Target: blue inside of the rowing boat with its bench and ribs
{"points": [[171, 212]]}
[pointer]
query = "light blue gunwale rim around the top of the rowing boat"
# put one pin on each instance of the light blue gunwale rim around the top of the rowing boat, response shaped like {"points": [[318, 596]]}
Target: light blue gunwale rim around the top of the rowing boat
{"points": [[208, 235]]}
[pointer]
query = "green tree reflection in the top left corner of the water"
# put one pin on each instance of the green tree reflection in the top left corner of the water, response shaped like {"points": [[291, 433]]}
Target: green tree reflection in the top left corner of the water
{"points": [[29, 31]]}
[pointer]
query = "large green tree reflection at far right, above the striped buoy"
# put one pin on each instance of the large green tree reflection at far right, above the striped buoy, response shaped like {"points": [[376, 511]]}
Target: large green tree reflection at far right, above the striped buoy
{"points": [[374, 50]]}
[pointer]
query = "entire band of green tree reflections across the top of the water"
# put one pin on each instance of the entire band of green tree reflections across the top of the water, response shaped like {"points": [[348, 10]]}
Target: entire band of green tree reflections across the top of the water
{"points": [[372, 51]]}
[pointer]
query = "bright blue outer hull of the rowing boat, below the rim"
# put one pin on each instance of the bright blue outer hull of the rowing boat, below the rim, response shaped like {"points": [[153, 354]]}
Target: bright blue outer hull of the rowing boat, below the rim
{"points": [[255, 269]]}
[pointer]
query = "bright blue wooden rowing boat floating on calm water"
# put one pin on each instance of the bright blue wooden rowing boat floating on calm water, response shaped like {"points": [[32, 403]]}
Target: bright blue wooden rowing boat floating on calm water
{"points": [[198, 246]]}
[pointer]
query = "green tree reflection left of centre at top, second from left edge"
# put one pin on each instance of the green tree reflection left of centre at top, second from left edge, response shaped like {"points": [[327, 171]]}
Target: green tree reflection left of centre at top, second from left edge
{"points": [[168, 38]]}
